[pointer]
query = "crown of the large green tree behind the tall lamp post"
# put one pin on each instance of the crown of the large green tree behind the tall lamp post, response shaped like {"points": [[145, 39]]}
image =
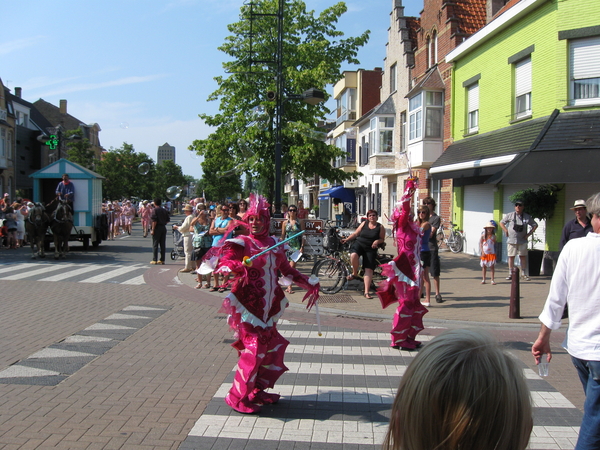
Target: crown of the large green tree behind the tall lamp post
{"points": [[313, 52]]}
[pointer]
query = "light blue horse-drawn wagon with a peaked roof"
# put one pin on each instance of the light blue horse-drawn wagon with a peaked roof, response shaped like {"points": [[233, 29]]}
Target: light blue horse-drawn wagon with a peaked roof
{"points": [[88, 223]]}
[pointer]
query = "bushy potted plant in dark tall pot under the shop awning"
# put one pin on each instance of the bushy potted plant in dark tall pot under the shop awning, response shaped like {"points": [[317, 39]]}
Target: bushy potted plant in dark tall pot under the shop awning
{"points": [[539, 204]]}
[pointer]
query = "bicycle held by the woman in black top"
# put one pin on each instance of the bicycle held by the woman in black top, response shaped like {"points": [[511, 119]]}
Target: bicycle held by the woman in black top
{"points": [[334, 269]]}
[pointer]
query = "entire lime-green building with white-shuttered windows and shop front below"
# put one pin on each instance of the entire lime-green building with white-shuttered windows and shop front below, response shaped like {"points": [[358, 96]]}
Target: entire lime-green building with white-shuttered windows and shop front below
{"points": [[535, 67]]}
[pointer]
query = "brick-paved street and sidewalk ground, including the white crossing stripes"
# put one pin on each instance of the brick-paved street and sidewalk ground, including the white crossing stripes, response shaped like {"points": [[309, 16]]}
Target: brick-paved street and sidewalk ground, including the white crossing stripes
{"points": [[146, 365]]}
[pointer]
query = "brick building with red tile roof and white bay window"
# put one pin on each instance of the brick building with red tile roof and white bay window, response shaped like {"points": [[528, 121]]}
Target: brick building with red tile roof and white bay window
{"points": [[444, 25]]}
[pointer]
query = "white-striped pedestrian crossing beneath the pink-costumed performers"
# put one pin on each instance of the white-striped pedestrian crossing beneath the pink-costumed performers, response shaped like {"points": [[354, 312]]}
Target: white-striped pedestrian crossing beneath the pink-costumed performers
{"points": [[315, 393]]}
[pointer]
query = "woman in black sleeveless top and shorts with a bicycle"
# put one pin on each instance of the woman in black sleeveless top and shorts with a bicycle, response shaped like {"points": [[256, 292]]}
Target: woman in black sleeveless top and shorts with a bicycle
{"points": [[369, 235]]}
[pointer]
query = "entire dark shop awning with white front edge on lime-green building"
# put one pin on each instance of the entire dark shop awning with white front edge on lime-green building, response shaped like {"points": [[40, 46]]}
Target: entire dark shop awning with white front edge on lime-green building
{"points": [[560, 148]]}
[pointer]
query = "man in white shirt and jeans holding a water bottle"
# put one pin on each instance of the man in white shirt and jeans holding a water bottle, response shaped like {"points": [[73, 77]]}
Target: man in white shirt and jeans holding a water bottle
{"points": [[575, 281]]}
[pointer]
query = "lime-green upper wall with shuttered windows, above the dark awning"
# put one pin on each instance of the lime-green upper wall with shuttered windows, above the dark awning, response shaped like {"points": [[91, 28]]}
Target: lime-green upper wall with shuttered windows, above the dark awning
{"points": [[523, 71]]}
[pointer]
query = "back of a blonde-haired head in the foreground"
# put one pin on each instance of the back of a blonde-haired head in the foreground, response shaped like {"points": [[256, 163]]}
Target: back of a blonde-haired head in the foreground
{"points": [[462, 391]]}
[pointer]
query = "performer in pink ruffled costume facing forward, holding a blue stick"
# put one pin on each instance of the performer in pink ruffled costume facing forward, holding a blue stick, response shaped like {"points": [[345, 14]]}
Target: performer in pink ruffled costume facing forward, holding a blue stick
{"points": [[255, 304]]}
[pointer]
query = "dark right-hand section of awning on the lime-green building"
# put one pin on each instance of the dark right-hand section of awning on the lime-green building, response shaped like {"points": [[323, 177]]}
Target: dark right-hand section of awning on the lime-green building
{"points": [[568, 152]]}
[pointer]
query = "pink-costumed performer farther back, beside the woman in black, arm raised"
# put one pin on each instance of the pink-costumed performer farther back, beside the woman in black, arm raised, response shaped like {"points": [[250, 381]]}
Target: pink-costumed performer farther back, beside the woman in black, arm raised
{"points": [[404, 276]]}
